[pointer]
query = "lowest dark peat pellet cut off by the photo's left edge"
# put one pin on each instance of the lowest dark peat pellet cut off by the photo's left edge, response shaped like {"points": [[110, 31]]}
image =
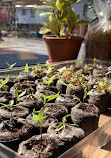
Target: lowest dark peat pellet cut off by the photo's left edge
{"points": [[13, 132]]}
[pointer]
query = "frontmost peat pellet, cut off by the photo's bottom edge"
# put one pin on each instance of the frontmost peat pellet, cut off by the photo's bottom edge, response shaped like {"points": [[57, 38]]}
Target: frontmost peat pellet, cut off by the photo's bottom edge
{"points": [[33, 148]]}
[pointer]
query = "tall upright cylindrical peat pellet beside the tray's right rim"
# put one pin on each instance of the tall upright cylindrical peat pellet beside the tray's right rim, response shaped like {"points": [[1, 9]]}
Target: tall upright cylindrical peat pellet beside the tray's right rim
{"points": [[86, 116]]}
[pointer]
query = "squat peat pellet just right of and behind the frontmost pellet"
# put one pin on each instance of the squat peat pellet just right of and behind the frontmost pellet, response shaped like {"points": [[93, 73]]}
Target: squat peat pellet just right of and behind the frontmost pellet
{"points": [[69, 136]]}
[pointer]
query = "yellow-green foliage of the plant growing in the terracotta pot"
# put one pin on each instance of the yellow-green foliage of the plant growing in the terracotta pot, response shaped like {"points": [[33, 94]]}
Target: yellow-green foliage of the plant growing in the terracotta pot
{"points": [[61, 17]]}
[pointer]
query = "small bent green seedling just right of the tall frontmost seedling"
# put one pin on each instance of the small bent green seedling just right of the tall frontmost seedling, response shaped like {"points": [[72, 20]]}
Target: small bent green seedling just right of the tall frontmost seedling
{"points": [[63, 124]]}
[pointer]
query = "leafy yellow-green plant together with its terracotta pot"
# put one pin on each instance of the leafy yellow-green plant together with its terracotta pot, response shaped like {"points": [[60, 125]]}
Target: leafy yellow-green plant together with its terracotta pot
{"points": [[62, 21]]}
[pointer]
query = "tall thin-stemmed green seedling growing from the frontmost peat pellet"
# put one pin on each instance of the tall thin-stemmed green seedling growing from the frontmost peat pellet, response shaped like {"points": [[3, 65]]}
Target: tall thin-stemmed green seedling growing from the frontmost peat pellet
{"points": [[39, 118]]}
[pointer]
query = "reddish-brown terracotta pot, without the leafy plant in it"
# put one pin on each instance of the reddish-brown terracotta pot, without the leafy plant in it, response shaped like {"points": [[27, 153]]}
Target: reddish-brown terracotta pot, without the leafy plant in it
{"points": [[61, 49]]}
